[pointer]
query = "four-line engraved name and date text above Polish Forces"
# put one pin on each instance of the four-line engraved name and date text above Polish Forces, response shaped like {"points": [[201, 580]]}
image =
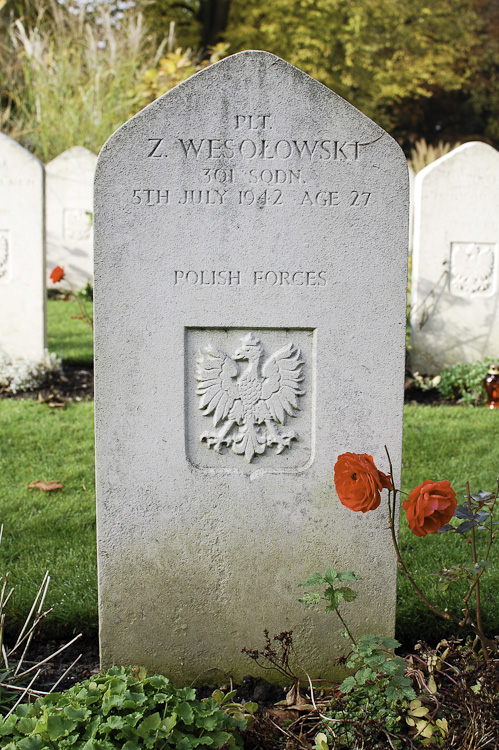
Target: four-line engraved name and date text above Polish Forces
{"points": [[254, 168]]}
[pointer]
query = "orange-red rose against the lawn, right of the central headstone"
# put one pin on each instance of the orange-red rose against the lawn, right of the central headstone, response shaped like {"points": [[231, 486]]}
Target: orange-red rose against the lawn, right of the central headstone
{"points": [[430, 506]]}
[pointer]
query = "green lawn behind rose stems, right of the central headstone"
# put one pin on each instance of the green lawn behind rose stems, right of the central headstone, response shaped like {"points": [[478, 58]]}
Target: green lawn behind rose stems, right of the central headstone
{"points": [[458, 444]]}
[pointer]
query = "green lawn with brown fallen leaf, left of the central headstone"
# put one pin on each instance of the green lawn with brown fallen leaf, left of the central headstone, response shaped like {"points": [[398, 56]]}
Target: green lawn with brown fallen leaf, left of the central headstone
{"points": [[49, 530]]}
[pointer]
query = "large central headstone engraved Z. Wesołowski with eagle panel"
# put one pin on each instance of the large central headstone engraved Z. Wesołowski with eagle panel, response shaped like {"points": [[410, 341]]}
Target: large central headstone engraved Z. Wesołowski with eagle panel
{"points": [[251, 250]]}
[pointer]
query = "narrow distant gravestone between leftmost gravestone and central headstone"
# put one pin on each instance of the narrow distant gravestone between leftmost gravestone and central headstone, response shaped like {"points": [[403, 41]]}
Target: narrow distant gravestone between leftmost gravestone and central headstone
{"points": [[70, 185]]}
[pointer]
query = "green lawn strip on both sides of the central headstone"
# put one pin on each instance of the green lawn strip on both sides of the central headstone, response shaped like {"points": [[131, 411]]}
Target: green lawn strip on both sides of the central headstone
{"points": [[56, 530]]}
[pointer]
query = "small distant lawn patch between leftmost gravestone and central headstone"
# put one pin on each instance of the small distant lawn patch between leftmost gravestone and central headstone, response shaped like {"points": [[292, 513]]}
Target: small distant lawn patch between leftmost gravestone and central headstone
{"points": [[69, 338]]}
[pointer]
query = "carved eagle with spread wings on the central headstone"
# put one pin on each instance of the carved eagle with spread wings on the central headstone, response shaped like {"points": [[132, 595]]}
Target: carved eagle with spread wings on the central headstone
{"points": [[249, 405]]}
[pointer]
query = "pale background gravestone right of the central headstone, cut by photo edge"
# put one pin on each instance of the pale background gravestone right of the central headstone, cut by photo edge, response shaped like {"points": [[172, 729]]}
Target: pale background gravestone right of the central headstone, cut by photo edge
{"points": [[455, 316]]}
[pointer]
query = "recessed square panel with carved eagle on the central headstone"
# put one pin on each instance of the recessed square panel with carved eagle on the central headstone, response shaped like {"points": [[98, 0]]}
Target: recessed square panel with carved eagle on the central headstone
{"points": [[249, 396]]}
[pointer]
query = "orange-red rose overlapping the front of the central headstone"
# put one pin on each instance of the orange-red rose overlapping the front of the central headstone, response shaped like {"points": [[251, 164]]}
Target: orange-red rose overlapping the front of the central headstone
{"points": [[358, 482]]}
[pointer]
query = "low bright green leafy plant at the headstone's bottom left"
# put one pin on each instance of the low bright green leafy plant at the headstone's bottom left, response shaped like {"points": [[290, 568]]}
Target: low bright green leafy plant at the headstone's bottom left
{"points": [[128, 710]]}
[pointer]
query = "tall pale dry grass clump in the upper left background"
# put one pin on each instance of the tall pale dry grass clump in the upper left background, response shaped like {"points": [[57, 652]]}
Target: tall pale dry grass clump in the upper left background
{"points": [[71, 78]]}
